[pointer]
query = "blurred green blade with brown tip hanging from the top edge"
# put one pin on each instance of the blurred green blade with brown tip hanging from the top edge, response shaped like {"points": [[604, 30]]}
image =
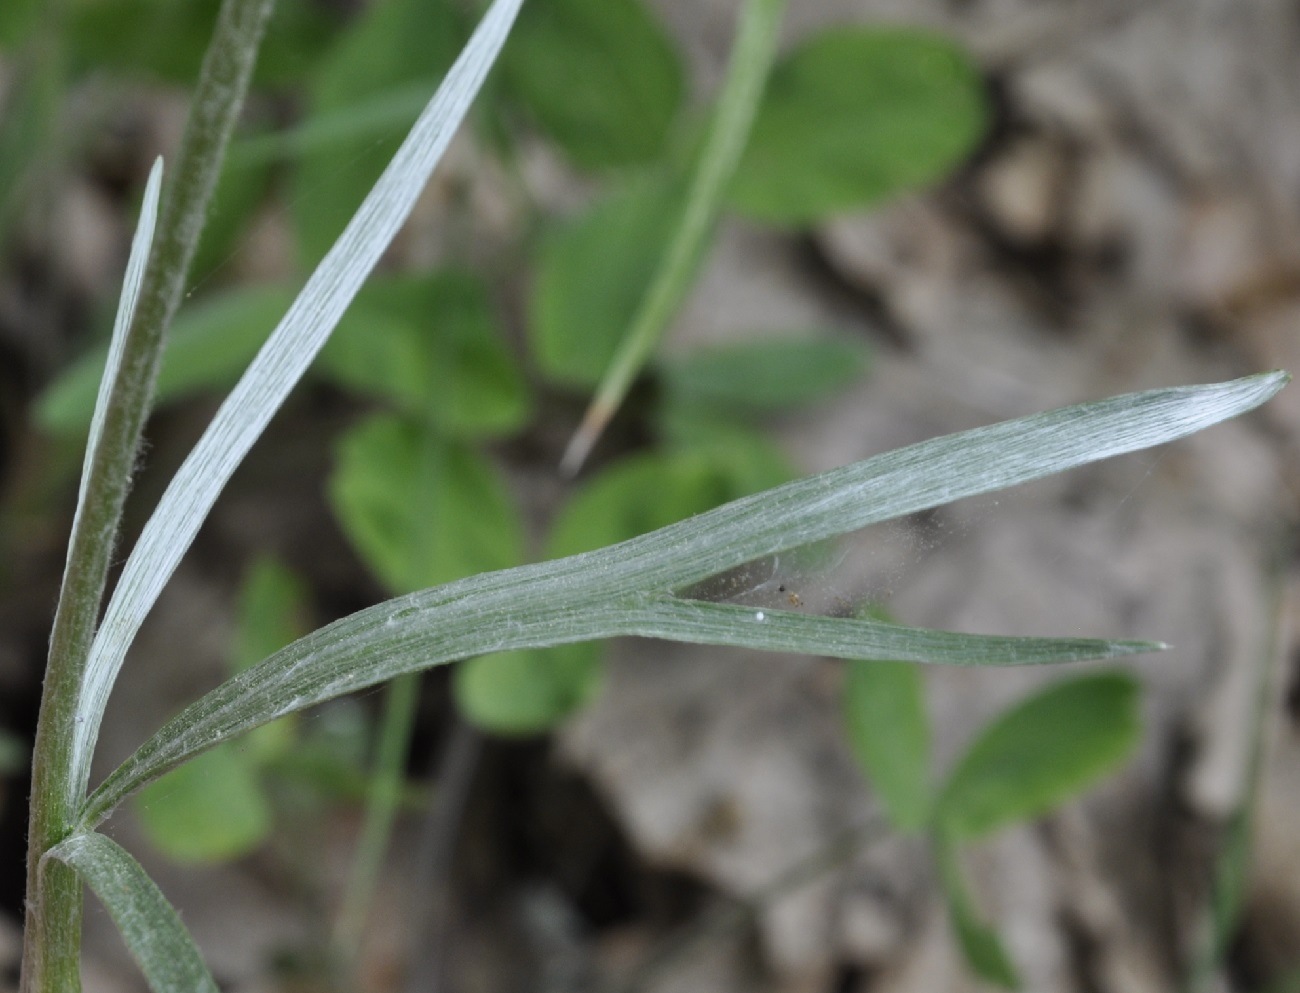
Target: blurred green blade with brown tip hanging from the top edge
{"points": [[743, 89]]}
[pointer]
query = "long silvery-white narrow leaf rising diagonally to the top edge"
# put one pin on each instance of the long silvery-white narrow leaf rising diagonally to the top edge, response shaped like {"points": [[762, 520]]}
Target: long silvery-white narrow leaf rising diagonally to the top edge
{"points": [[280, 365]]}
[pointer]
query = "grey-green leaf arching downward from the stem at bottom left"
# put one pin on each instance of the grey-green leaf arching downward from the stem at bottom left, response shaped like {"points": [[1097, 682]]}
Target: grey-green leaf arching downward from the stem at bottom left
{"points": [[150, 926]]}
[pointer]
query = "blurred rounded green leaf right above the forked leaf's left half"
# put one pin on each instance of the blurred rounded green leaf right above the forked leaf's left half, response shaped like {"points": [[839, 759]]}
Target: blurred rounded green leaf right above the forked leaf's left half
{"points": [[422, 510]]}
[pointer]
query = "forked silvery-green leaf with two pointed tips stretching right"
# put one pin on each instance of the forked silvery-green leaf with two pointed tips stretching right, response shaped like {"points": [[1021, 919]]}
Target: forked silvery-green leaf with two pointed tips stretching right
{"points": [[627, 589]]}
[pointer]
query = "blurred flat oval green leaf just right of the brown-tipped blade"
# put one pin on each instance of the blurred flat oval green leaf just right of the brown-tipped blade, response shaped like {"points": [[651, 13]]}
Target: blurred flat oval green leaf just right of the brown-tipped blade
{"points": [[766, 374]]}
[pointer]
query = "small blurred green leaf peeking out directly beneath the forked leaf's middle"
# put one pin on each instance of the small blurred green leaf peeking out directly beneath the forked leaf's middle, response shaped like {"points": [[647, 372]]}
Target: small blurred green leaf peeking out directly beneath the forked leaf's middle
{"points": [[527, 692]]}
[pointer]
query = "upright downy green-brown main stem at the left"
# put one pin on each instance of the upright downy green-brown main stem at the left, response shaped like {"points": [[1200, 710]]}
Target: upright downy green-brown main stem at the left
{"points": [[53, 935]]}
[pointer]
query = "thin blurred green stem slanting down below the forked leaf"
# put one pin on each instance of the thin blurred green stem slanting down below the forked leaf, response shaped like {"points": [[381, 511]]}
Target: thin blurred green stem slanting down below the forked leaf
{"points": [[388, 777]]}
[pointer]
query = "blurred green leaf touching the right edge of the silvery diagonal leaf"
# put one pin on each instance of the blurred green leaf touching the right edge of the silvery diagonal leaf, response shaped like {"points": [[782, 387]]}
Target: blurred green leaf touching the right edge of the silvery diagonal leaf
{"points": [[434, 348]]}
